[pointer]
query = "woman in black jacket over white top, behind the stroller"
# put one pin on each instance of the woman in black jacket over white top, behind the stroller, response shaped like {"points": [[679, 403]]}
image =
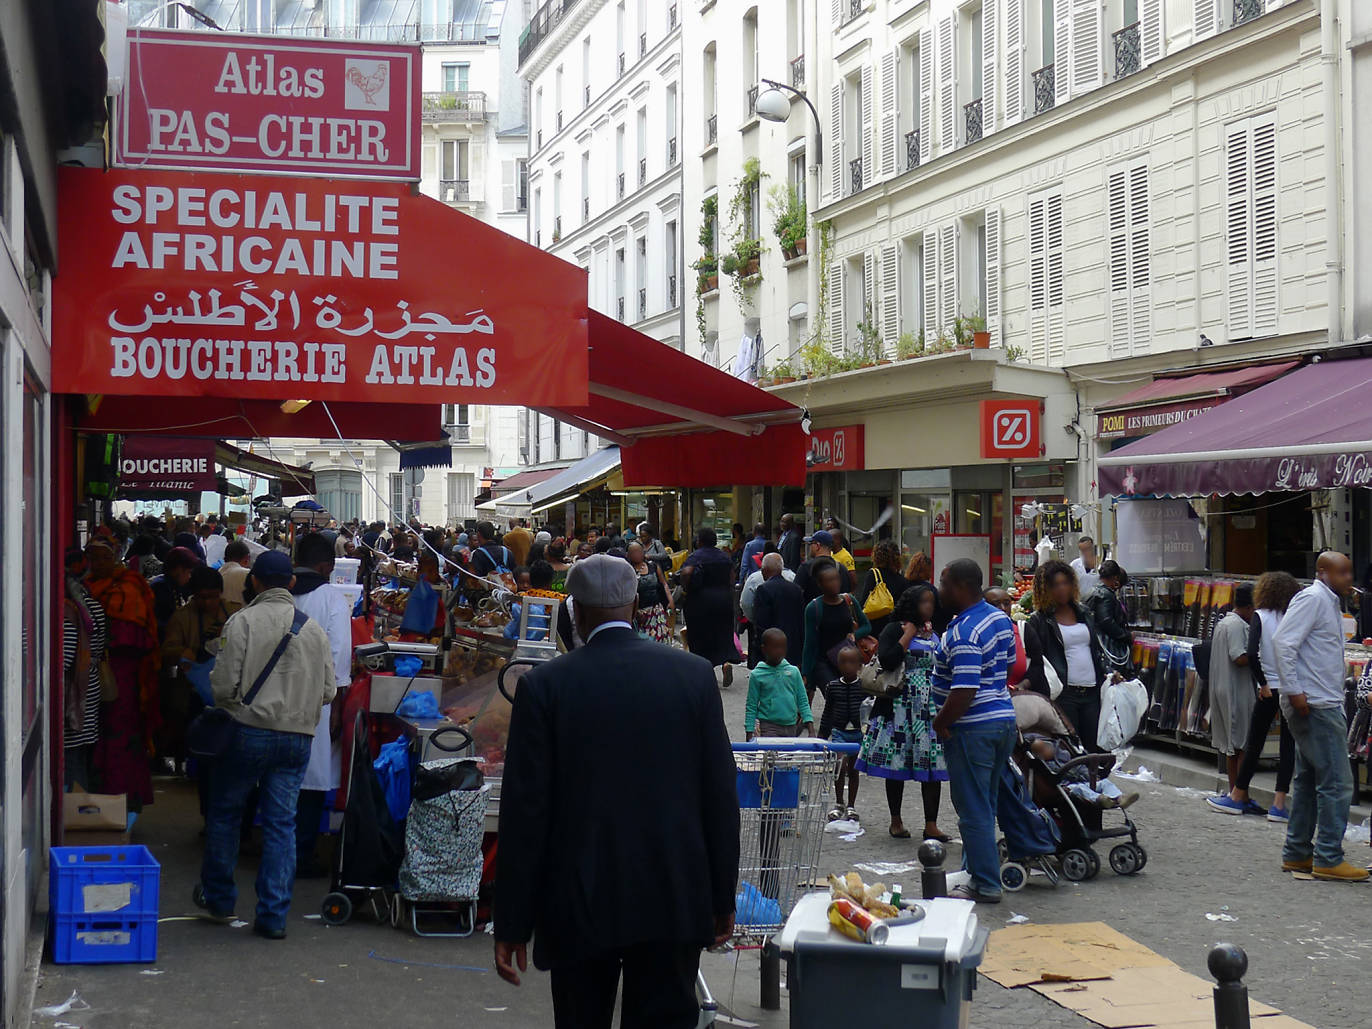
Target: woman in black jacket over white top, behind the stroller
{"points": [[1061, 640]]}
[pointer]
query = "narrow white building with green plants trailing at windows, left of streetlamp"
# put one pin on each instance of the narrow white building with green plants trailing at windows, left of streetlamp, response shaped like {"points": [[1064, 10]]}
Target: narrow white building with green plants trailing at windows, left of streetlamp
{"points": [[743, 174]]}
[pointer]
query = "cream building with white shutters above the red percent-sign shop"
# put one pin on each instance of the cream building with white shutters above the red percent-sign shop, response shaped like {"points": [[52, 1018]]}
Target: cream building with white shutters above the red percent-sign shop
{"points": [[1117, 187]]}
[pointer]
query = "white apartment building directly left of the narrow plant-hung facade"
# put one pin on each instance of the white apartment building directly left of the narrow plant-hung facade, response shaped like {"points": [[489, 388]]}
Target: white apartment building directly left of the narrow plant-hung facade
{"points": [[604, 83]]}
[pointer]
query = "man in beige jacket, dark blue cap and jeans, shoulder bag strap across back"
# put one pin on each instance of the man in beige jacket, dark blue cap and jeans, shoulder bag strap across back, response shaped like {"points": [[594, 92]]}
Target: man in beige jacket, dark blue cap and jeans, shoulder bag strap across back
{"points": [[274, 676]]}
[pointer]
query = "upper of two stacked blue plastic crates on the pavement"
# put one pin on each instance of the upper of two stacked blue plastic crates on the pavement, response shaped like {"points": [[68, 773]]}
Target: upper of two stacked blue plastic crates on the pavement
{"points": [[104, 883]]}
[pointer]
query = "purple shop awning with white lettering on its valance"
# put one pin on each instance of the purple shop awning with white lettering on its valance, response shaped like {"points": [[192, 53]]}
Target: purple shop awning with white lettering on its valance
{"points": [[1310, 430]]}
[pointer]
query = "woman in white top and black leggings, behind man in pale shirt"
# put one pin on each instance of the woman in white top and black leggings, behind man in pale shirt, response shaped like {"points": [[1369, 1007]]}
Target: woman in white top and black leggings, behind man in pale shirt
{"points": [[1271, 599]]}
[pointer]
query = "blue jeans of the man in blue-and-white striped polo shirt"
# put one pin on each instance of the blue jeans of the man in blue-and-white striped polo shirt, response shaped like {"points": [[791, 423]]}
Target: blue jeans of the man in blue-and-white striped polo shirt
{"points": [[975, 757]]}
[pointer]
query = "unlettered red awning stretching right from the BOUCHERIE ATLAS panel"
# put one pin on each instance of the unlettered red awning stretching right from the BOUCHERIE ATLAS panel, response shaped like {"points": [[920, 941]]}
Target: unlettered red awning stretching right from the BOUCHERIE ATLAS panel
{"points": [[647, 397]]}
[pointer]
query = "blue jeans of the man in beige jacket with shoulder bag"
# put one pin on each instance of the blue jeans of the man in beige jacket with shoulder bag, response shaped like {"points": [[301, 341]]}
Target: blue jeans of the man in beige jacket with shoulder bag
{"points": [[275, 762]]}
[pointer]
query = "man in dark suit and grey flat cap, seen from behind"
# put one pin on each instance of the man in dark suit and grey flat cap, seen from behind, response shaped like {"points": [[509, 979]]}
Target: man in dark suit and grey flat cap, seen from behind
{"points": [[619, 818]]}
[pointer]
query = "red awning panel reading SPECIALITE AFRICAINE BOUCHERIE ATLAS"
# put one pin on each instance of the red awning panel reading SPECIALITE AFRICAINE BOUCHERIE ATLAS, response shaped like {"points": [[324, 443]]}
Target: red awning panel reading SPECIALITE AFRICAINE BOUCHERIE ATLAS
{"points": [[208, 285]]}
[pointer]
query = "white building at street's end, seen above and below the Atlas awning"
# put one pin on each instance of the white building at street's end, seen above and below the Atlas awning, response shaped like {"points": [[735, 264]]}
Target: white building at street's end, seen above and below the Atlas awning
{"points": [[474, 158]]}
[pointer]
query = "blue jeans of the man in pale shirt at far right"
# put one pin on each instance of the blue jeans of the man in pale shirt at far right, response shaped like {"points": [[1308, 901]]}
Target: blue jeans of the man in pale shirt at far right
{"points": [[1322, 788]]}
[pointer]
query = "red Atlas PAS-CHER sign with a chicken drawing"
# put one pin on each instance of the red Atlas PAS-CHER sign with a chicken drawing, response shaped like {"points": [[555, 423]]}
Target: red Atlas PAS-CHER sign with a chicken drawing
{"points": [[250, 104]]}
